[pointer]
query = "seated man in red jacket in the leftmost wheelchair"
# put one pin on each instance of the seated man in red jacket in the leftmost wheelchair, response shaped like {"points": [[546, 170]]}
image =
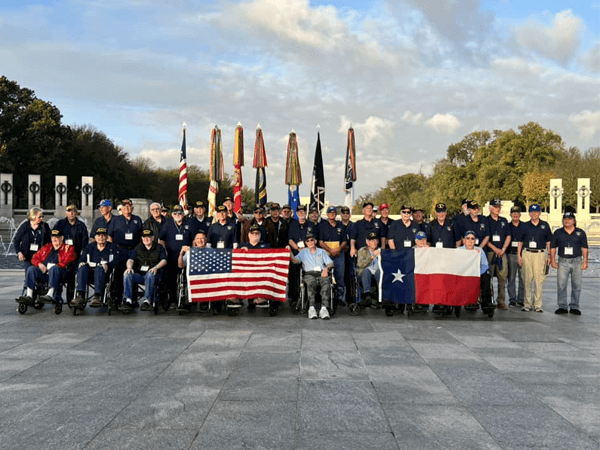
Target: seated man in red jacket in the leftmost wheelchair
{"points": [[49, 265]]}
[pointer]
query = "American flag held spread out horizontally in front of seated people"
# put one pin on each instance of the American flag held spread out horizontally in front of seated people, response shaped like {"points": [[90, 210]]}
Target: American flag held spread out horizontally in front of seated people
{"points": [[222, 274]]}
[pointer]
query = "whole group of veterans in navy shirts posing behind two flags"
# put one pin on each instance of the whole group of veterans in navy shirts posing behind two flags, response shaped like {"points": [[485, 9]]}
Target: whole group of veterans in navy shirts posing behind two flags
{"points": [[152, 252]]}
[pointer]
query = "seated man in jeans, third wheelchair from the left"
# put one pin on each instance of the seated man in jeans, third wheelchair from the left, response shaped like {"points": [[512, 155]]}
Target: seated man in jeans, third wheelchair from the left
{"points": [[144, 262]]}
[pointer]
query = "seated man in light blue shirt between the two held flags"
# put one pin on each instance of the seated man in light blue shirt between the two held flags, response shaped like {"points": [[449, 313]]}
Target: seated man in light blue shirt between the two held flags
{"points": [[316, 265]]}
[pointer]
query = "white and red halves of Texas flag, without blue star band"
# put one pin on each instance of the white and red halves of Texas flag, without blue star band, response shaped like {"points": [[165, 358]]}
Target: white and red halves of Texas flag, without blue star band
{"points": [[447, 276]]}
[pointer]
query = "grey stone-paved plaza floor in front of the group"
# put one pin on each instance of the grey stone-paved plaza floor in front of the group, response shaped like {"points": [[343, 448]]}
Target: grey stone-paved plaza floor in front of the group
{"points": [[516, 381]]}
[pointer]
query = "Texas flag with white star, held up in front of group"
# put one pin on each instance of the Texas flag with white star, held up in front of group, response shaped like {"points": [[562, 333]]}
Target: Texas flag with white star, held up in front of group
{"points": [[441, 276]]}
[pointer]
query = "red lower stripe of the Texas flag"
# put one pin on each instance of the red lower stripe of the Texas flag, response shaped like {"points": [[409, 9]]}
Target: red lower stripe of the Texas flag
{"points": [[445, 289]]}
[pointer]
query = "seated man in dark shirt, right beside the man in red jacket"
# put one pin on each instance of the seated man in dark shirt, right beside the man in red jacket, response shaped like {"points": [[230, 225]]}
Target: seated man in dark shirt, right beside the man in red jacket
{"points": [[98, 257]]}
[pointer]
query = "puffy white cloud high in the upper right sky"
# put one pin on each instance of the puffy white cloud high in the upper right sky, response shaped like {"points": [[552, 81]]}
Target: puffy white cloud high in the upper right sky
{"points": [[558, 41]]}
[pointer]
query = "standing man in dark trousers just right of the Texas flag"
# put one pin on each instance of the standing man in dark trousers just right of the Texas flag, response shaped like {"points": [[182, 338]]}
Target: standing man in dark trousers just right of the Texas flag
{"points": [[496, 249]]}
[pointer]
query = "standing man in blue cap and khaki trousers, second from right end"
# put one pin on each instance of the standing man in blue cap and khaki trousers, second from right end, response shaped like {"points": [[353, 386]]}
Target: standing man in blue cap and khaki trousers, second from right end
{"points": [[534, 257]]}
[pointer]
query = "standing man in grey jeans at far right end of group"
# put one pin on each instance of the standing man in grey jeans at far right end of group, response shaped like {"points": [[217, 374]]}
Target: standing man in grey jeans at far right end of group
{"points": [[572, 246]]}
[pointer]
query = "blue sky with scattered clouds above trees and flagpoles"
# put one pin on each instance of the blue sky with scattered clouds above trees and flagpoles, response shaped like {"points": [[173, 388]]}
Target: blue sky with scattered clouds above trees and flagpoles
{"points": [[411, 76]]}
